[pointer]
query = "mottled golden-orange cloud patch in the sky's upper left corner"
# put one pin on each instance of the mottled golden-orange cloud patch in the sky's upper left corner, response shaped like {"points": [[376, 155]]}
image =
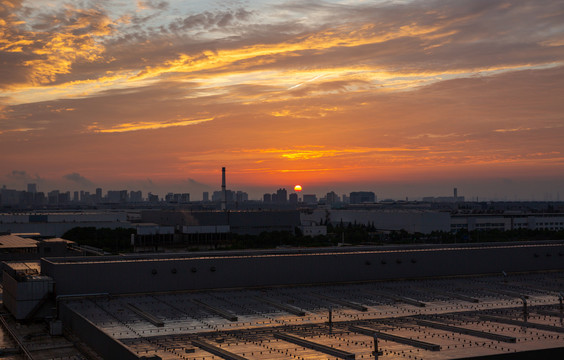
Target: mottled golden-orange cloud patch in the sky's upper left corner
{"points": [[64, 38]]}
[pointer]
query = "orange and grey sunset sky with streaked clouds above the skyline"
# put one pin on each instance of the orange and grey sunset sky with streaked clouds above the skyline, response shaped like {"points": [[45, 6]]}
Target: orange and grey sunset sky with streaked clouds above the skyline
{"points": [[403, 98]]}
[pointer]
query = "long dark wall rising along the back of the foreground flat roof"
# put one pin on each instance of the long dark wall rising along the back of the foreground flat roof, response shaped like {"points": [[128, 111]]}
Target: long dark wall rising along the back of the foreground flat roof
{"points": [[76, 276]]}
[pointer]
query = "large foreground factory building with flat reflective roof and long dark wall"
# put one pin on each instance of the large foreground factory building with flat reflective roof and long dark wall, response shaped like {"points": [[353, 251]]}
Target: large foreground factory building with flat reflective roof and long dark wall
{"points": [[414, 302]]}
